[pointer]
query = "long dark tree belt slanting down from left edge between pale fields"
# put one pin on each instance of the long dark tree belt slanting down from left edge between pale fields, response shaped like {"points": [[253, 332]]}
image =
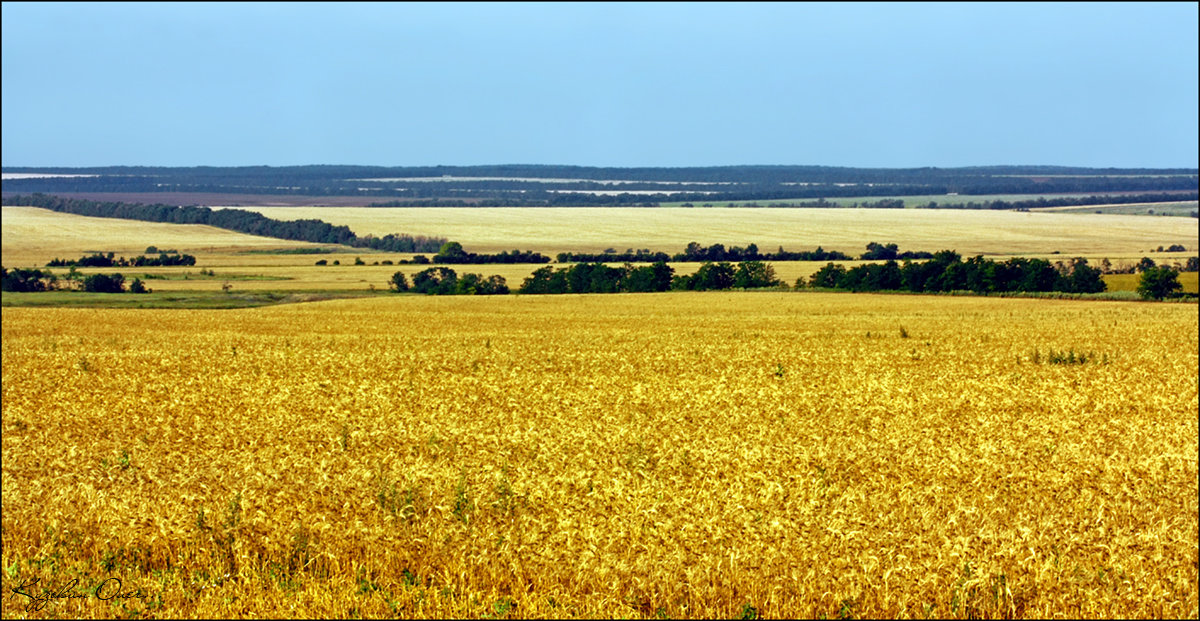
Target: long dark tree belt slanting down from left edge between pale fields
{"points": [[242, 221]]}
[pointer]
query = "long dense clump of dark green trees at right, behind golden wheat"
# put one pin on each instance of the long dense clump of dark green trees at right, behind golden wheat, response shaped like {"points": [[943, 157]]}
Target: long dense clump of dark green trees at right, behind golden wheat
{"points": [[949, 273]]}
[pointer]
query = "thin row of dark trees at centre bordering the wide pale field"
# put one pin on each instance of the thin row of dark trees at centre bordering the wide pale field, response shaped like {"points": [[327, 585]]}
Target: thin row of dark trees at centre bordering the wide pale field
{"points": [[718, 252]]}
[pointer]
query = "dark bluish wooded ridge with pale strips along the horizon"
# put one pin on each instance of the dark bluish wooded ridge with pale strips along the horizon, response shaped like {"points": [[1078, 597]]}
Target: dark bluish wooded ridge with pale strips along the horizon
{"points": [[565, 185]]}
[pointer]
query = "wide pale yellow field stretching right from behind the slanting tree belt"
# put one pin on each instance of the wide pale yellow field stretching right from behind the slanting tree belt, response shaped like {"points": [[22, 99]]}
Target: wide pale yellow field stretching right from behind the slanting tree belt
{"points": [[668, 230]]}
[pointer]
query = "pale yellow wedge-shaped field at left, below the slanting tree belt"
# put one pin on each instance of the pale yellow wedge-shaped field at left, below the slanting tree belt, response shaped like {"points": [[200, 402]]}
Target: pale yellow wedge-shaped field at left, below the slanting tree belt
{"points": [[33, 237]]}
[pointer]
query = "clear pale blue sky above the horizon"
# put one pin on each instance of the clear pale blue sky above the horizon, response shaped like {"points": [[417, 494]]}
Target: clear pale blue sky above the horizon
{"points": [[634, 85]]}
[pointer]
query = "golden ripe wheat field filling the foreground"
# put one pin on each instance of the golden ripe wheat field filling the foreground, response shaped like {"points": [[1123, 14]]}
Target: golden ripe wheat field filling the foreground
{"points": [[683, 455]]}
